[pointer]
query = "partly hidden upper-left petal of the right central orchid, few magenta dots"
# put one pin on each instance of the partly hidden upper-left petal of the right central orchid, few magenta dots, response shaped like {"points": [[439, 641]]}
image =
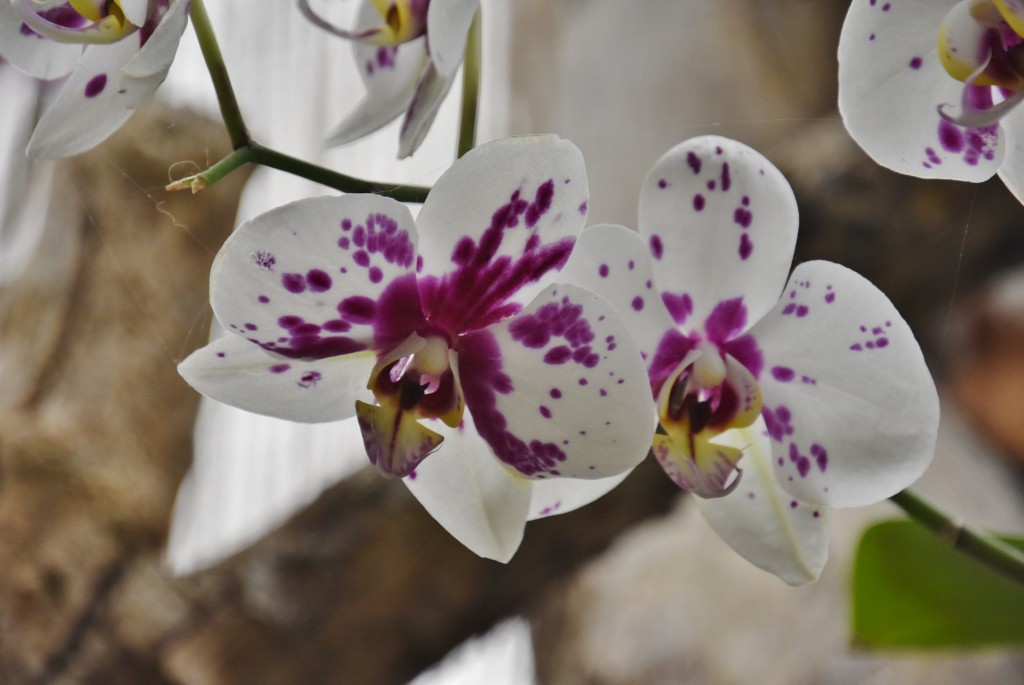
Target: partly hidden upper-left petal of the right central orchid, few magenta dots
{"points": [[614, 263]]}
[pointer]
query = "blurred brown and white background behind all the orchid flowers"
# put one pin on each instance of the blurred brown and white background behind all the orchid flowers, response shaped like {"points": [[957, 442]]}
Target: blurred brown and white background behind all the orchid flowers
{"points": [[104, 290]]}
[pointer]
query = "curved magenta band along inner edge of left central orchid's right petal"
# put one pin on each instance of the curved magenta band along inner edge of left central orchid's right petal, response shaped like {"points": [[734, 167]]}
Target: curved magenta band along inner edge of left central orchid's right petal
{"points": [[481, 368]]}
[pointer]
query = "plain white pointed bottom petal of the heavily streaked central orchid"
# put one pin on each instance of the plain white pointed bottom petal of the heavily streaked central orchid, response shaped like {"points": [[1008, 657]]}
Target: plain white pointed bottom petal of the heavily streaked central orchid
{"points": [[481, 502]]}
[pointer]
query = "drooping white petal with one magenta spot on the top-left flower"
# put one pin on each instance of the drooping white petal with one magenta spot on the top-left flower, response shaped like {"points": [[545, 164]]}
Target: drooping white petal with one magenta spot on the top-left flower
{"points": [[90, 107]]}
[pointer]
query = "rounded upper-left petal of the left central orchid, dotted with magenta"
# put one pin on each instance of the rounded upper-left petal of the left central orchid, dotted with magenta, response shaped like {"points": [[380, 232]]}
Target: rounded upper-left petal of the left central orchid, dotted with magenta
{"points": [[321, 278]]}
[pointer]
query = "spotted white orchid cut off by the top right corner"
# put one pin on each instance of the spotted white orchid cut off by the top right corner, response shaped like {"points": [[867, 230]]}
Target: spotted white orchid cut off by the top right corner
{"points": [[931, 88]]}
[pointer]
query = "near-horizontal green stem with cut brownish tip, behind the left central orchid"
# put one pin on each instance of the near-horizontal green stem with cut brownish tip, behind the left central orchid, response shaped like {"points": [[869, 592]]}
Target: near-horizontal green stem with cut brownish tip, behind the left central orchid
{"points": [[254, 153]]}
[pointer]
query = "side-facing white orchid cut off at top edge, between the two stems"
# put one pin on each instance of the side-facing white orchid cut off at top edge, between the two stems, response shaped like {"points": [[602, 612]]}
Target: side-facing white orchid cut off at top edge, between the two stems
{"points": [[408, 53]]}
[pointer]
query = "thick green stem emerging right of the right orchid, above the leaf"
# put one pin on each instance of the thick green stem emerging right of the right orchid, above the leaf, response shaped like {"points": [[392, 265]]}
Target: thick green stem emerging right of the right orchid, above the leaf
{"points": [[987, 549]]}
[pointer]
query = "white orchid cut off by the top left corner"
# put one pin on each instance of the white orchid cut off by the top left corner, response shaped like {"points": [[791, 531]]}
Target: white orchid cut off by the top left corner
{"points": [[117, 54]]}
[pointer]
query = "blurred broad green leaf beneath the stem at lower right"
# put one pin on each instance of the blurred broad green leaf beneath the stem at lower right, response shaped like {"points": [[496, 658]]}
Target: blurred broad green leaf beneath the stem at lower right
{"points": [[913, 590]]}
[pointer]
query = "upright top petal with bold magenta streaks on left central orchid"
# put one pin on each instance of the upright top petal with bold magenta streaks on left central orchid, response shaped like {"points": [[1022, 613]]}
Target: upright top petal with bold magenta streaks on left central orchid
{"points": [[497, 227]]}
